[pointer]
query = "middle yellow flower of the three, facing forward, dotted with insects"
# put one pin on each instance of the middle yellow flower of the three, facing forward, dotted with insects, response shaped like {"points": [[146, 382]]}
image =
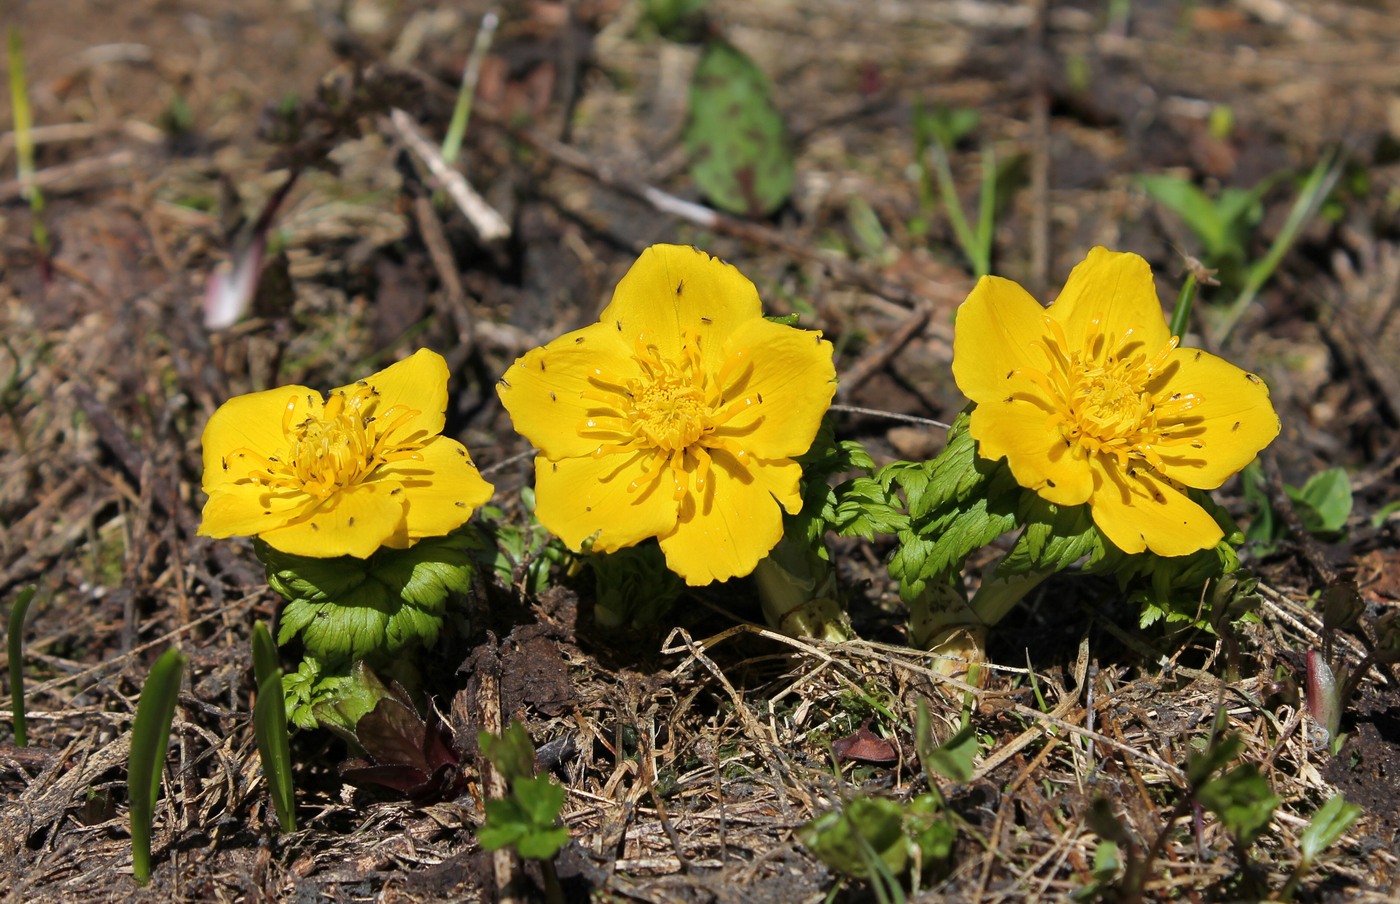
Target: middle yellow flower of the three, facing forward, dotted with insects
{"points": [[677, 416]]}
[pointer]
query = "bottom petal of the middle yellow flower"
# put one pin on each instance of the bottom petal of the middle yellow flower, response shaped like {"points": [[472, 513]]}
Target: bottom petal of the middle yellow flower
{"points": [[736, 524]]}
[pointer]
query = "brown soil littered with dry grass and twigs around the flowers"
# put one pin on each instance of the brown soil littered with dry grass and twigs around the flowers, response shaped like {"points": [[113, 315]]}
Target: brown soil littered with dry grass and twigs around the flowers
{"points": [[164, 129]]}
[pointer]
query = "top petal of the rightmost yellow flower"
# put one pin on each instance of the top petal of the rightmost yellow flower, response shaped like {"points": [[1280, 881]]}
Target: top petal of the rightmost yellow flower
{"points": [[1112, 292]]}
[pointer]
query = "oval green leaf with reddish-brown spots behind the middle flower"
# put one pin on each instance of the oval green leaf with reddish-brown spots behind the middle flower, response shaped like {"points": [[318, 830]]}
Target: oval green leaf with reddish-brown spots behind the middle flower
{"points": [[741, 157]]}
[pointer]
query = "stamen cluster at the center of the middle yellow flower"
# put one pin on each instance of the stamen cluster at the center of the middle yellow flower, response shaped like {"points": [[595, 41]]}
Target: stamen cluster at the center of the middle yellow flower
{"points": [[671, 415]]}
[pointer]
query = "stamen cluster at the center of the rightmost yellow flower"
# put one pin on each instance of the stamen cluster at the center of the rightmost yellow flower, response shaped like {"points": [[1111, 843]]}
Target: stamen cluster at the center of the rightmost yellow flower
{"points": [[1105, 398]]}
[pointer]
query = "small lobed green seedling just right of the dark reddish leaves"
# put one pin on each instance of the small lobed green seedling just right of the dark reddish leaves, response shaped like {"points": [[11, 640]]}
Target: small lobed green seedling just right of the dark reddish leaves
{"points": [[527, 818]]}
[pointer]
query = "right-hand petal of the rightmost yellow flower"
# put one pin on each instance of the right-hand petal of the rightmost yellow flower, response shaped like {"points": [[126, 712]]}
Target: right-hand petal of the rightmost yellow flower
{"points": [[1227, 429]]}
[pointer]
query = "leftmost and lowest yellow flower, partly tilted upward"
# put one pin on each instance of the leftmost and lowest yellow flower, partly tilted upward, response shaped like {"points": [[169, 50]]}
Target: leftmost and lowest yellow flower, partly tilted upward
{"points": [[341, 476]]}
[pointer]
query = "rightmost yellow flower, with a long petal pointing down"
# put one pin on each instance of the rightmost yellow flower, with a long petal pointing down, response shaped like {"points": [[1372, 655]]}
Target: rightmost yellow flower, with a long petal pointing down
{"points": [[1090, 401]]}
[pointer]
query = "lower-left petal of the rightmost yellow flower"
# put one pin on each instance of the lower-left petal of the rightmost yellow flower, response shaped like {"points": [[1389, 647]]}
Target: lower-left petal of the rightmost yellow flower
{"points": [[1035, 450]]}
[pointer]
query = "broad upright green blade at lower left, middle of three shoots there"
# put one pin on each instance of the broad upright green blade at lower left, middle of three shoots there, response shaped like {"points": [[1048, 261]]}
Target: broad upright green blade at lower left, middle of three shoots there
{"points": [[150, 741]]}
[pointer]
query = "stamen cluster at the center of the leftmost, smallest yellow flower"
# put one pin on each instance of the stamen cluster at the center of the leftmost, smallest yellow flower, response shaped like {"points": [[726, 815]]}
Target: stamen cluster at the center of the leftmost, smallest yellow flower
{"points": [[338, 450]]}
